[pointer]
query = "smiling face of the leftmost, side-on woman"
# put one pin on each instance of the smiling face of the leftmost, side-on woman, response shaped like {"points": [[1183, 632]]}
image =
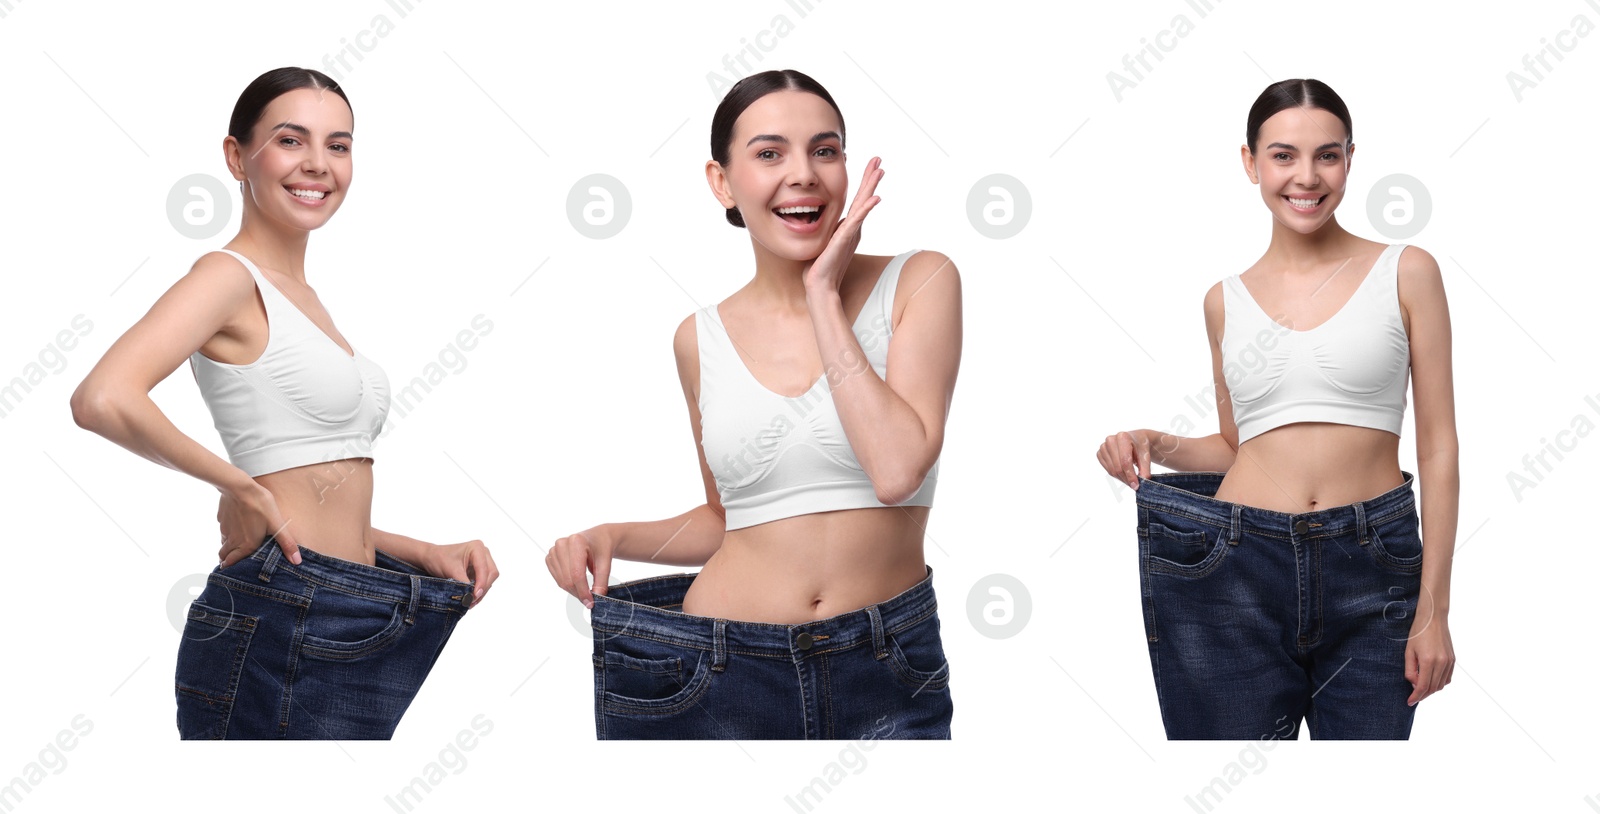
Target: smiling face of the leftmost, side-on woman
{"points": [[297, 166]]}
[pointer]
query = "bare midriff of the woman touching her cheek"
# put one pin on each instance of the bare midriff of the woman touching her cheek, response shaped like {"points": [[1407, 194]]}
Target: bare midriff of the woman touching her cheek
{"points": [[812, 567]]}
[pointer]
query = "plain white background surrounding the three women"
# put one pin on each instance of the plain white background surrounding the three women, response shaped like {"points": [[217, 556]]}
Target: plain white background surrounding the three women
{"points": [[474, 121]]}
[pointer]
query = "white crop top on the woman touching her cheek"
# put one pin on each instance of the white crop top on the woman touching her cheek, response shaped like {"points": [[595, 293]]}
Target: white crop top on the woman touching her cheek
{"points": [[775, 457]]}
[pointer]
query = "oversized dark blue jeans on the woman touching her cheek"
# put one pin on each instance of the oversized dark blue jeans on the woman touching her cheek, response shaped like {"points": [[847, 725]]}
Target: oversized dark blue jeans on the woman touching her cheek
{"points": [[871, 674]]}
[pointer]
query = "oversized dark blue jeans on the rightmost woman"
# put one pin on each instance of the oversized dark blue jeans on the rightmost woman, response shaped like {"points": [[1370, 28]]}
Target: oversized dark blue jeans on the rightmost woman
{"points": [[1258, 620]]}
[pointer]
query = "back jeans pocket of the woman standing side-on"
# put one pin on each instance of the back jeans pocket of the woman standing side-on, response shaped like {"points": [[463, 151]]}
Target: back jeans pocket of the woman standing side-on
{"points": [[210, 661]]}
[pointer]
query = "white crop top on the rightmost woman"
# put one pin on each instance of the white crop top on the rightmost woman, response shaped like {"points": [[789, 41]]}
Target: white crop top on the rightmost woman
{"points": [[1350, 370]]}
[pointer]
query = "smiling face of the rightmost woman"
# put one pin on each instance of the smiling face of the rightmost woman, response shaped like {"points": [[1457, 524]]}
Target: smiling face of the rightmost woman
{"points": [[1302, 164]]}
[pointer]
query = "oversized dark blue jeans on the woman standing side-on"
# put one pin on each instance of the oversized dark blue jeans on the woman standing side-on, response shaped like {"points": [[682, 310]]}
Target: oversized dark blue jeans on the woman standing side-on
{"points": [[324, 650]]}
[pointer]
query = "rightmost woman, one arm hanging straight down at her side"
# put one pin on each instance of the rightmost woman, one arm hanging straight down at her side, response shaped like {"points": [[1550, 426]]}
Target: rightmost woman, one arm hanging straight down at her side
{"points": [[1282, 569]]}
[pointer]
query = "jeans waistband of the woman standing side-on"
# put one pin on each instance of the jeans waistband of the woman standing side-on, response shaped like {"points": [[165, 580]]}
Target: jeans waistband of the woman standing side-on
{"points": [[390, 580]]}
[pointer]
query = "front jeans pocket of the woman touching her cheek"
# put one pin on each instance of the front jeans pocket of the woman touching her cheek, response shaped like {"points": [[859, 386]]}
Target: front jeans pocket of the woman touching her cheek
{"points": [[644, 677]]}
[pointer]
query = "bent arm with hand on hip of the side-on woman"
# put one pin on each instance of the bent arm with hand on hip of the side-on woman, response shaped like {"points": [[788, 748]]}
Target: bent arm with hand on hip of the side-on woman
{"points": [[114, 399]]}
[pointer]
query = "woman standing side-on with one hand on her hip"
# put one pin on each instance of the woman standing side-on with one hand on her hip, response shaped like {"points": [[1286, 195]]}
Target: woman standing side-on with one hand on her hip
{"points": [[314, 624]]}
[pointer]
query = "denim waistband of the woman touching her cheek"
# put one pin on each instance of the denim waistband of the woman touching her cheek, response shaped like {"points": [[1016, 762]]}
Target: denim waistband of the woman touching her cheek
{"points": [[639, 610]]}
